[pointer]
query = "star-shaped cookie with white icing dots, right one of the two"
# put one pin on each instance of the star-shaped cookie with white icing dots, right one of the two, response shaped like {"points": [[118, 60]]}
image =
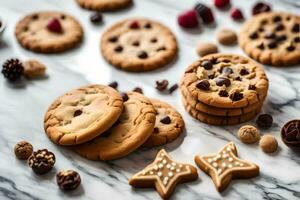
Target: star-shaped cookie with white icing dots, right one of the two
{"points": [[225, 166]]}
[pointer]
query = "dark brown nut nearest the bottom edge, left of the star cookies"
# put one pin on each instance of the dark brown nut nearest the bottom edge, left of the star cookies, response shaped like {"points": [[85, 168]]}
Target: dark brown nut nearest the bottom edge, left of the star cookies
{"points": [[68, 179]]}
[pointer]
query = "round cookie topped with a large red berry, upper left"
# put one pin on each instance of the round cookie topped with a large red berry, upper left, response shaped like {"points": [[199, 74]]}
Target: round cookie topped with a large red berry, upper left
{"points": [[48, 32]]}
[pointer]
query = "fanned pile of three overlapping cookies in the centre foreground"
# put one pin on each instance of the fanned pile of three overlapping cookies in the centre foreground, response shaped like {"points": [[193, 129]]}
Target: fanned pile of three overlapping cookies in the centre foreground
{"points": [[102, 124]]}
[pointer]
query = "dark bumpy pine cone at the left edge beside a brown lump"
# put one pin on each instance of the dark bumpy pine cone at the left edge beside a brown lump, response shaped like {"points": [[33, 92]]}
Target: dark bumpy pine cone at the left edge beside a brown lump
{"points": [[12, 69]]}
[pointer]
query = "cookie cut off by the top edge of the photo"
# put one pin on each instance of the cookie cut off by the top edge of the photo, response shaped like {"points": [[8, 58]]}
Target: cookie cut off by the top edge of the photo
{"points": [[104, 5]]}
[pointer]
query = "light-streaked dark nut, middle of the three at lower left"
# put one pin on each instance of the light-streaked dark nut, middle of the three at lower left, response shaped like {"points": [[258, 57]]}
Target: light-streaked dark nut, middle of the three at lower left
{"points": [[41, 161]]}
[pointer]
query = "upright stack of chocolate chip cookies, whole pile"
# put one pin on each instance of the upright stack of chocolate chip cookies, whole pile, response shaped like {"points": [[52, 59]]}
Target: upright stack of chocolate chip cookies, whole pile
{"points": [[224, 89]]}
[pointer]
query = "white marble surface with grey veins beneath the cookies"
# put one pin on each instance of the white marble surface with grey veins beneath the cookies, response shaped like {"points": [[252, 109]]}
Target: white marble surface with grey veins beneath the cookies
{"points": [[22, 108]]}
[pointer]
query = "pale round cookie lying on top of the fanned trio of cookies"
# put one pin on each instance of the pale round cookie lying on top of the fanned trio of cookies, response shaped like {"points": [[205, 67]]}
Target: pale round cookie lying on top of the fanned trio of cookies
{"points": [[82, 114]]}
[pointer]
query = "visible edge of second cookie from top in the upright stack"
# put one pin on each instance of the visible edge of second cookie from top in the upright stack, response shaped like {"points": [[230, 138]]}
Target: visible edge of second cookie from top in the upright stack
{"points": [[202, 107]]}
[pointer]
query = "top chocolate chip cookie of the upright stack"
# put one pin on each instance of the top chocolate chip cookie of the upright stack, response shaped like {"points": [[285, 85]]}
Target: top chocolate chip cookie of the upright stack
{"points": [[226, 81]]}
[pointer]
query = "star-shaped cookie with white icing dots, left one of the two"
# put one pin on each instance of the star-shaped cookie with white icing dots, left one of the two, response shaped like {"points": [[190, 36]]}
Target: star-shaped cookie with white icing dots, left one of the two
{"points": [[164, 174]]}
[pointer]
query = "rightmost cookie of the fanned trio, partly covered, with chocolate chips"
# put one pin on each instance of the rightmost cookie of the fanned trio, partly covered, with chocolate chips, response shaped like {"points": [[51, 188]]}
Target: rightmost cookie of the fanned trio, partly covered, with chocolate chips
{"points": [[168, 125]]}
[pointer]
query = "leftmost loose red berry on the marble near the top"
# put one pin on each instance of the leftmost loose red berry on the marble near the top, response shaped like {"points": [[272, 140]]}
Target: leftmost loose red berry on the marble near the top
{"points": [[188, 19]]}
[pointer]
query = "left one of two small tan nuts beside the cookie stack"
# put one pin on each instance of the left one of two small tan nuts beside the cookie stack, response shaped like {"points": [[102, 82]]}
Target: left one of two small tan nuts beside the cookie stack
{"points": [[248, 134]]}
